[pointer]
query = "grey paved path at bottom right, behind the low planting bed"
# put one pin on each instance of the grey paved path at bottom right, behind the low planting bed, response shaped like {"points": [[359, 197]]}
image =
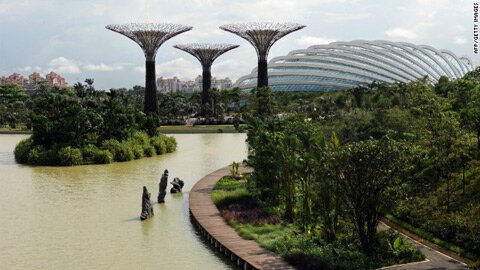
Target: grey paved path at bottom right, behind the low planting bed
{"points": [[435, 260]]}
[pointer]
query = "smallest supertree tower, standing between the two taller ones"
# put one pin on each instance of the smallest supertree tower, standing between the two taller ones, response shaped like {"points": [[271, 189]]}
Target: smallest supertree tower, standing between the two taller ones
{"points": [[206, 54]]}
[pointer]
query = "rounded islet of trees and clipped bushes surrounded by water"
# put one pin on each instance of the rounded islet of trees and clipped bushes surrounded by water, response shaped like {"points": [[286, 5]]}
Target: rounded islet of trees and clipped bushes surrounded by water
{"points": [[82, 126]]}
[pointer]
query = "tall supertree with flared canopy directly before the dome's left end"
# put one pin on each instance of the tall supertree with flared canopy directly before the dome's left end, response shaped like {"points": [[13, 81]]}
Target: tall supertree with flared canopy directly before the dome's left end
{"points": [[262, 35]]}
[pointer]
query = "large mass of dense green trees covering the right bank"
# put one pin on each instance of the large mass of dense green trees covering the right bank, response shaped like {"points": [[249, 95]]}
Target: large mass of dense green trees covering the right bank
{"points": [[332, 162]]}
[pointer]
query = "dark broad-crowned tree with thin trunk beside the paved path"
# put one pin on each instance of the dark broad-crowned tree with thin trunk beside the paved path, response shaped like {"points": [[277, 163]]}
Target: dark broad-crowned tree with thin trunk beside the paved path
{"points": [[368, 176]]}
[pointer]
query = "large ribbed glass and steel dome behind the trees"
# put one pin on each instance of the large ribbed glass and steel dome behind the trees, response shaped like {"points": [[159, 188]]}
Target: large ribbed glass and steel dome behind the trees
{"points": [[343, 65]]}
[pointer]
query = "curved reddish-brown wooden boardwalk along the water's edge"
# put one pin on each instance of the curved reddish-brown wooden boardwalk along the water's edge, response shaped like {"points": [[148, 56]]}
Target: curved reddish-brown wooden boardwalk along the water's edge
{"points": [[246, 253]]}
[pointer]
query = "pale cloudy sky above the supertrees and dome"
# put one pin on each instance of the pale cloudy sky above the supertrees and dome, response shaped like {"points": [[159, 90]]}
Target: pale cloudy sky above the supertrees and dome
{"points": [[69, 36]]}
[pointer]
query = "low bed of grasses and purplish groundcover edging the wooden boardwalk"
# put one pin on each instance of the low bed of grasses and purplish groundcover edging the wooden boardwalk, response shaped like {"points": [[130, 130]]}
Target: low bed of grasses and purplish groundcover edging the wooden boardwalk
{"points": [[245, 213]]}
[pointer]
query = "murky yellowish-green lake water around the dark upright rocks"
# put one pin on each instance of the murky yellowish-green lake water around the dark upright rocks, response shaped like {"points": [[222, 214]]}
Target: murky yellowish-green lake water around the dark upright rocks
{"points": [[87, 217]]}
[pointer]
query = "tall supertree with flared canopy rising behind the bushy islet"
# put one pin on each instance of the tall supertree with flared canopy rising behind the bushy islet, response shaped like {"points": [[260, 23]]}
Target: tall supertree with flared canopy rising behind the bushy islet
{"points": [[150, 36]]}
